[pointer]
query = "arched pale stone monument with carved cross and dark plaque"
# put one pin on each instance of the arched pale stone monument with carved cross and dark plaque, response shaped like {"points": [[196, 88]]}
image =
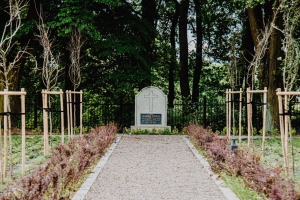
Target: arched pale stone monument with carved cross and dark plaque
{"points": [[150, 110]]}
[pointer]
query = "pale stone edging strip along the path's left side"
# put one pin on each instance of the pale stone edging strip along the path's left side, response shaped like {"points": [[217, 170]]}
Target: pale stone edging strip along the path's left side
{"points": [[85, 187]]}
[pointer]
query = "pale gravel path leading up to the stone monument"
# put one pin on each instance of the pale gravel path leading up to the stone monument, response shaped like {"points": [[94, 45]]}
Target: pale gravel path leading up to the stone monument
{"points": [[153, 167]]}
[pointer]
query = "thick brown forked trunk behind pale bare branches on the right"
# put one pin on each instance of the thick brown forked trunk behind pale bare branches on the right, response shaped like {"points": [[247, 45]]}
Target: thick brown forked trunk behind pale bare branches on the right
{"points": [[269, 65]]}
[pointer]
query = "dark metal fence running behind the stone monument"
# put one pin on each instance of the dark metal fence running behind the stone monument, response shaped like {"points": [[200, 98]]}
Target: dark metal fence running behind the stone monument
{"points": [[207, 113]]}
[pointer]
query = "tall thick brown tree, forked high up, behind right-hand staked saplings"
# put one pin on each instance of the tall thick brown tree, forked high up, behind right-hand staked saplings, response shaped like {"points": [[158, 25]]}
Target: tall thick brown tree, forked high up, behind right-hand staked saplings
{"points": [[269, 64]]}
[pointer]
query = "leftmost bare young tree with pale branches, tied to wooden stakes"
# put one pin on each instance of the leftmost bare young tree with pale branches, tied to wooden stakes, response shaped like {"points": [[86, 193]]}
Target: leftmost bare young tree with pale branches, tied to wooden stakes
{"points": [[9, 67]]}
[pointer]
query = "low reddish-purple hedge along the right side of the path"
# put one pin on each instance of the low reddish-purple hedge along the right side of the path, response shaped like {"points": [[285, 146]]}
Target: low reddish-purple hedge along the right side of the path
{"points": [[244, 164]]}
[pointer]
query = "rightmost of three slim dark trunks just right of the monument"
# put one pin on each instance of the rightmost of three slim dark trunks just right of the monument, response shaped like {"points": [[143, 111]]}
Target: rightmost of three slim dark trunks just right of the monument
{"points": [[198, 65]]}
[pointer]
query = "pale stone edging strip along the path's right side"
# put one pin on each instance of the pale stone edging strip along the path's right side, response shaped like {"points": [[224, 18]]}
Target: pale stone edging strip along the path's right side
{"points": [[228, 193]]}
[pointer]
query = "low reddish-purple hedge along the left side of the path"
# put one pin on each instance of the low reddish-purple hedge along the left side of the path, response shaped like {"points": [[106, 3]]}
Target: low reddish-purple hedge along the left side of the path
{"points": [[66, 166]]}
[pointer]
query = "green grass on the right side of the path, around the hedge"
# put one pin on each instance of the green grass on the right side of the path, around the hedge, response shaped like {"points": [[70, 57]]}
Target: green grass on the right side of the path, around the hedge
{"points": [[272, 158]]}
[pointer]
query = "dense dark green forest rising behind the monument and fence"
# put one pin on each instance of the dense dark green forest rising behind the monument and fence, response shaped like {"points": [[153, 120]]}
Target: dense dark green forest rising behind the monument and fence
{"points": [[187, 48]]}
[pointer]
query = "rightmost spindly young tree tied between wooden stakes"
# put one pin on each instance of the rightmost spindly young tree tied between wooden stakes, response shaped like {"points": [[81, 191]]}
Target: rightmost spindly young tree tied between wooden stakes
{"points": [[290, 67]]}
